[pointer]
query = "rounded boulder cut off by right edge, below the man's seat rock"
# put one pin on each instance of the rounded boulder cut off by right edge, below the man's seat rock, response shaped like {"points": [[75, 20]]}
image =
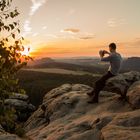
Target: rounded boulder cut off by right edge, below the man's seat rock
{"points": [[134, 95]]}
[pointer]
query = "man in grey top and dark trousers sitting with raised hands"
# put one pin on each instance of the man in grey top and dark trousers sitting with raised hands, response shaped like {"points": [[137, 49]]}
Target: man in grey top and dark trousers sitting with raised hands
{"points": [[115, 60]]}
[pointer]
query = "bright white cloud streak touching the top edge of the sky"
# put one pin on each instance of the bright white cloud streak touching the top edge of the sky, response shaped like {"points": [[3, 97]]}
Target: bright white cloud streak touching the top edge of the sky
{"points": [[36, 4]]}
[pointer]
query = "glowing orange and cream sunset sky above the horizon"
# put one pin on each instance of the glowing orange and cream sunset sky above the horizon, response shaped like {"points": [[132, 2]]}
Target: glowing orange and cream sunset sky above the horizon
{"points": [[69, 28]]}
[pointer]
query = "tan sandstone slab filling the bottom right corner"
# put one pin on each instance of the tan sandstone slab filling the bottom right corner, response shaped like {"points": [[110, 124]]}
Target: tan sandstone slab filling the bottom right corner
{"points": [[124, 126]]}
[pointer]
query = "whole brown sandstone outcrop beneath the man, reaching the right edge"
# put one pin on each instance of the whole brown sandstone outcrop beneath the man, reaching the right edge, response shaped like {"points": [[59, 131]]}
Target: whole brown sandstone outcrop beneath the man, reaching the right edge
{"points": [[66, 115]]}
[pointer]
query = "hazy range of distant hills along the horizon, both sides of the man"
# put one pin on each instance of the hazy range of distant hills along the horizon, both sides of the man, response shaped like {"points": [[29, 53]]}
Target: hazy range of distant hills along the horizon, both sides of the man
{"points": [[92, 65]]}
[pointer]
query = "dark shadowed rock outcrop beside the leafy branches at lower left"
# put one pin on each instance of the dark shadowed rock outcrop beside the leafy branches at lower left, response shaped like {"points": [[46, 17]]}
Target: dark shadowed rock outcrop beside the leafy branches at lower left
{"points": [[20, 103]]}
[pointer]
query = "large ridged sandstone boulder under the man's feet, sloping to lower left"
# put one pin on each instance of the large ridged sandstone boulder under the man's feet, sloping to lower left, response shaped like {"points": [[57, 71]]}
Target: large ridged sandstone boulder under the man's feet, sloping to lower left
{"points": [[71, 117]]}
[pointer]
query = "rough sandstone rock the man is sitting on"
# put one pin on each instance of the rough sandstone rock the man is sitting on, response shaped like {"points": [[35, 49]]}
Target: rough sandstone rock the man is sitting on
{"points": [[120, 84]]}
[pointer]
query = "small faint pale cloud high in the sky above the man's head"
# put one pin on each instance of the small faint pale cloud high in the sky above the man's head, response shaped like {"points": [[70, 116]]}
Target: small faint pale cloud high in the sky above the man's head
{"points": [[114, 22]]}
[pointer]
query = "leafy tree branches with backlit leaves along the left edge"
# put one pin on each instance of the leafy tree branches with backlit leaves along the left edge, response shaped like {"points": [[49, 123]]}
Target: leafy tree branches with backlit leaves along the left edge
{"points": [[11, 59]]}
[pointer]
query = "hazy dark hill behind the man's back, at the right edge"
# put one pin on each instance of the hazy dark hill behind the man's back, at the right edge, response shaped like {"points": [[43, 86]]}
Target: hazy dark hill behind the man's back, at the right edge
{"points": [[132, 63]]}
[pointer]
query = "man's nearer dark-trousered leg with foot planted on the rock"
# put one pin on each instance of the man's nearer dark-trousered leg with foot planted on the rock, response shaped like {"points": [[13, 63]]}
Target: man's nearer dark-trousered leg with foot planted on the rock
{"points": [[99, 85]]}
